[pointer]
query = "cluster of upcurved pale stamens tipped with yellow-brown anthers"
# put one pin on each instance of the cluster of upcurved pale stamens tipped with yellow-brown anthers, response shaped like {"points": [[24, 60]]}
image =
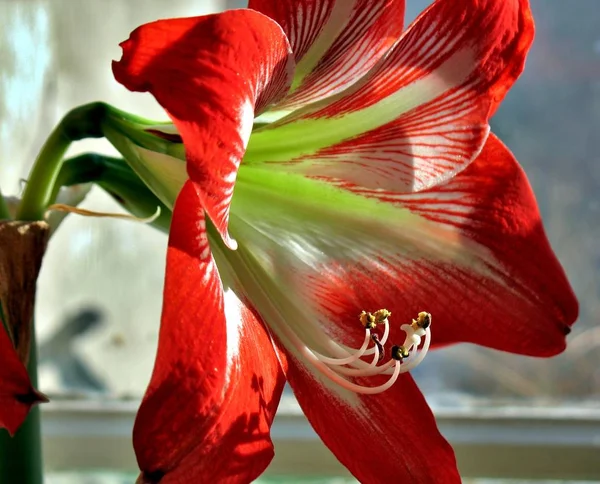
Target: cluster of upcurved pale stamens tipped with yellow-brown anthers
{"points": [[369, 359]]}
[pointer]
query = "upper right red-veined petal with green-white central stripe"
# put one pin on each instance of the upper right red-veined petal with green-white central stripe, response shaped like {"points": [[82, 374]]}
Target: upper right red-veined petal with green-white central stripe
{"points": [[421, 114]]}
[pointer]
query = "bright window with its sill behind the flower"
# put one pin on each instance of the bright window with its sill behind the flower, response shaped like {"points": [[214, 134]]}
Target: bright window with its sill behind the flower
{"points": [[507, 416]]}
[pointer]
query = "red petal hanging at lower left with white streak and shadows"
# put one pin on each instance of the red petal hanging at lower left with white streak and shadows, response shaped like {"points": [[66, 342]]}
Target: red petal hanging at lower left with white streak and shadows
{"points": [[216, 382]]}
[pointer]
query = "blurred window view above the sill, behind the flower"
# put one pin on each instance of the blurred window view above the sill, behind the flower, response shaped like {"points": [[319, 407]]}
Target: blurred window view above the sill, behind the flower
{"points": [[99, 293]]}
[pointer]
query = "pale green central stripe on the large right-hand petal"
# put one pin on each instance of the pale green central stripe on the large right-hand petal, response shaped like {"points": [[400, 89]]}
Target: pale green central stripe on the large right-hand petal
{"points": [[322, 220]]}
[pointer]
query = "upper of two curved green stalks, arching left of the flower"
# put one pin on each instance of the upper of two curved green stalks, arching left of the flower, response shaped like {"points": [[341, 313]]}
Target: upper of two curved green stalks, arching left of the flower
{"points": [[82, 122]]}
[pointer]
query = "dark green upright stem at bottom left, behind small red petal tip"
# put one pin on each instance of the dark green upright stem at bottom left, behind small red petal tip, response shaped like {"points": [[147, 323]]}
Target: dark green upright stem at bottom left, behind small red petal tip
{"points": [[21, 455]]}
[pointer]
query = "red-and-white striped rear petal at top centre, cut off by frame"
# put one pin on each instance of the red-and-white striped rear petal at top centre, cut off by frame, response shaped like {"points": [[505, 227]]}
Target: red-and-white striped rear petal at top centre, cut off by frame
{"points": [[335, 42]]}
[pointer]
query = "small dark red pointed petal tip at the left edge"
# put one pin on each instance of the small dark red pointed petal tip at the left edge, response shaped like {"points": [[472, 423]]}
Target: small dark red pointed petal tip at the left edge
{"points": [[17, 395]]}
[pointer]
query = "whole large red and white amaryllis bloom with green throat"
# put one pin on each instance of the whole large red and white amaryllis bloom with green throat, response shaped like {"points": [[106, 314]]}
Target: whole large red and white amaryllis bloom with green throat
{"points": [[336, 164]]}
